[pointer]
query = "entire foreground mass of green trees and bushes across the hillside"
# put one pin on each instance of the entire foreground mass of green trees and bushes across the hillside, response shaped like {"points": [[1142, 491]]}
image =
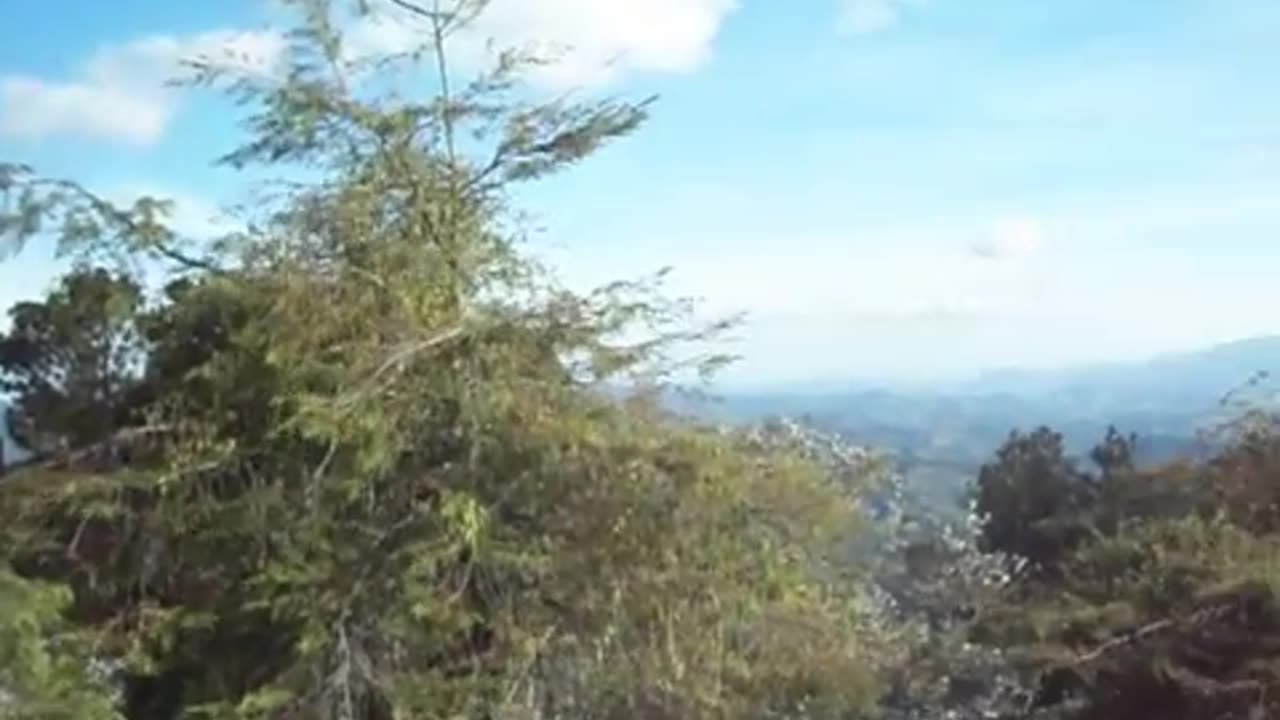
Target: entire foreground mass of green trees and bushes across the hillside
{"points": [[364, 459]]}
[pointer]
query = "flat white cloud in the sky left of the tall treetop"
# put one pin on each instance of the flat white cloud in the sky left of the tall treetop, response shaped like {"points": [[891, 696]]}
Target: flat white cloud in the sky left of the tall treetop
{"points": [[122, 93]]}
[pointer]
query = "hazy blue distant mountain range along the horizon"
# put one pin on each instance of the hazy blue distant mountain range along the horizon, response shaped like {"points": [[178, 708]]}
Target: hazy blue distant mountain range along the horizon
{"points": [[943, 436]]}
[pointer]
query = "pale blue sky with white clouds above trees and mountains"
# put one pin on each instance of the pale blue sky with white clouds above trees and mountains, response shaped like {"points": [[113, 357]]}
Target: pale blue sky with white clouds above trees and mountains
{"points": [[888, 188]]}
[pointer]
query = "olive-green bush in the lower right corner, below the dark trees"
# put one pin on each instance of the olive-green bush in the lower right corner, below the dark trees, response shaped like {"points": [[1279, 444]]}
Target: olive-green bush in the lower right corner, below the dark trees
{"points": [[1167, 619]]}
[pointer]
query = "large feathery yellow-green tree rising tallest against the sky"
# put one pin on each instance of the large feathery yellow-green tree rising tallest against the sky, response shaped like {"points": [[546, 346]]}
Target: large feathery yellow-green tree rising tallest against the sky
{"points": [[428, 507]]}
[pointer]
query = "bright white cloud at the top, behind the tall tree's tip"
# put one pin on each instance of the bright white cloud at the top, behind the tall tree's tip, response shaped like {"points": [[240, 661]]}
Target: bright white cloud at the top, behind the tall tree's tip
{"points": [[595, 43]]}
